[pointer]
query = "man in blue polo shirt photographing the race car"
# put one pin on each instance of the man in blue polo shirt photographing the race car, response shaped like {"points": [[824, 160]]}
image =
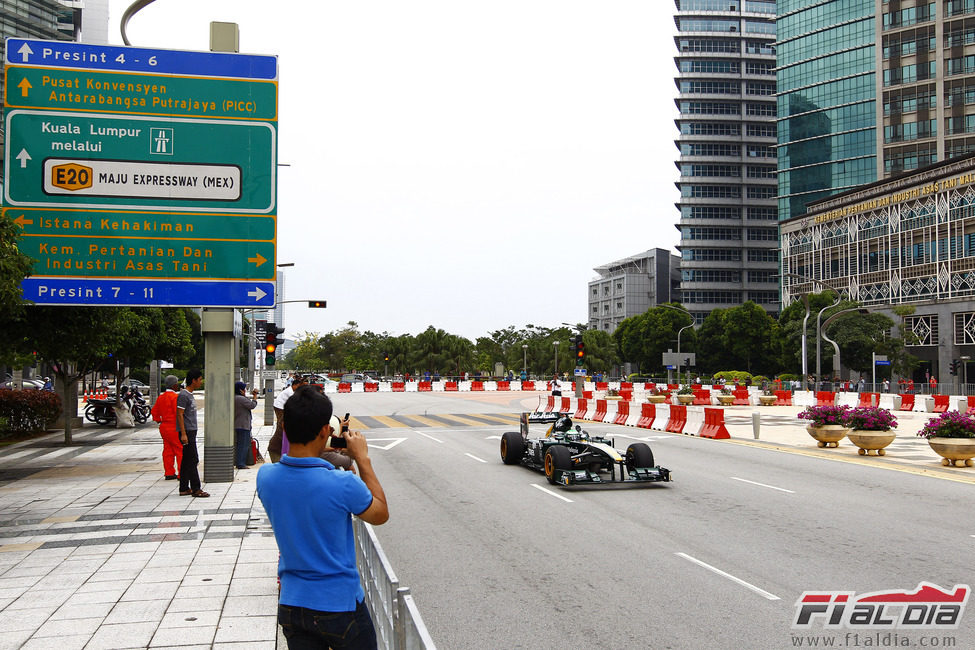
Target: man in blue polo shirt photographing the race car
{"points": [[309, 503]]}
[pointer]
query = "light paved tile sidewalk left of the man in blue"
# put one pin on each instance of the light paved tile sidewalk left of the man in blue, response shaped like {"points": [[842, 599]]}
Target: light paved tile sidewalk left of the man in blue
{"points": [[97, 550]]}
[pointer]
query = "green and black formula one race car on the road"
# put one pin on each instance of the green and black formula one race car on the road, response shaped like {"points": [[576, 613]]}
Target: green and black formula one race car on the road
{"points": [[570, 457]]}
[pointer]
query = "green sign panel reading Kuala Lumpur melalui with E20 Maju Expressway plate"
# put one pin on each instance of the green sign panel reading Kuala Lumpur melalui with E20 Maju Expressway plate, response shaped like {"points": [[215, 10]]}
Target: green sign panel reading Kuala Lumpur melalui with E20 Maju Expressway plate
{"points": [[137, 162]]}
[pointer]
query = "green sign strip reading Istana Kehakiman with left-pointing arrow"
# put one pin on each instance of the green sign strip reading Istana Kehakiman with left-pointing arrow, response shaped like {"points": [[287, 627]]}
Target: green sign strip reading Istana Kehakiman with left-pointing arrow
{"points": [[158, 225]]}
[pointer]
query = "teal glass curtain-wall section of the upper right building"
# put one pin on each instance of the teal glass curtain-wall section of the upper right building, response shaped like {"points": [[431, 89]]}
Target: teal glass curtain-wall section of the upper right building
{"points": [[827, 99]]}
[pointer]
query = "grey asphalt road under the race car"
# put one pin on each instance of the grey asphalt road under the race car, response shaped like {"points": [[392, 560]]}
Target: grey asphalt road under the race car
{"points": [[495, 557]]}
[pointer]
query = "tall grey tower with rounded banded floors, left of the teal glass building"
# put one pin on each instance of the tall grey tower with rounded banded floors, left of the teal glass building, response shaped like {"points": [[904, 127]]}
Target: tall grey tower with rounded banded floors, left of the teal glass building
{"points": [[726, 98]]}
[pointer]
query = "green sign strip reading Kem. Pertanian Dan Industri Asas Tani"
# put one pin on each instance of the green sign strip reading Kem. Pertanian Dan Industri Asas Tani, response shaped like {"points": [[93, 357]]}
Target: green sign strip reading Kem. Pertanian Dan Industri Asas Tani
{"points": [[109, 257]]}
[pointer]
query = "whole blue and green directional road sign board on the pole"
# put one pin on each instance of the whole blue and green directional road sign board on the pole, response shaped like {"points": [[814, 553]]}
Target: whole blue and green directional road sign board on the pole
{"points": [[142, 176]]}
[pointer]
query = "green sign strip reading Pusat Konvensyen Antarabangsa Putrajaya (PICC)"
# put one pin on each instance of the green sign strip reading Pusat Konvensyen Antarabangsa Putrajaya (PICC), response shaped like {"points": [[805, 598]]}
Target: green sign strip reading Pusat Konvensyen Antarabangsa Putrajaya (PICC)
{"points": [[139, 94]]}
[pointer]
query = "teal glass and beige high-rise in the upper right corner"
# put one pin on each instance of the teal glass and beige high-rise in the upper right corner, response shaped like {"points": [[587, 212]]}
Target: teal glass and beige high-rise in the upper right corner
{"points": [[869, 89]]}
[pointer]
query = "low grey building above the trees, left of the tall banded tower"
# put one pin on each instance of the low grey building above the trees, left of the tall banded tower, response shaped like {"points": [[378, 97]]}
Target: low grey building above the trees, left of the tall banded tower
{"points": [[631, 286]]}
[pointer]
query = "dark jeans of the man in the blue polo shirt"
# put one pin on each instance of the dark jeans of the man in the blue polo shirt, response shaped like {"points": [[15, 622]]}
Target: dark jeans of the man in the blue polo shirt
{"points": [[310, 628]]}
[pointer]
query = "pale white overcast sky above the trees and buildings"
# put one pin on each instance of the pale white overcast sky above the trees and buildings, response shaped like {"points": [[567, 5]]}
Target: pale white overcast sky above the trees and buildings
{"points": [[457, 164]]}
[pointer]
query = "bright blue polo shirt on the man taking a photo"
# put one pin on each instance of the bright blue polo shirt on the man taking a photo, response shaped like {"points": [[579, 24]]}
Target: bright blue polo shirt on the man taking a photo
{"points": [[309, 504]]}
